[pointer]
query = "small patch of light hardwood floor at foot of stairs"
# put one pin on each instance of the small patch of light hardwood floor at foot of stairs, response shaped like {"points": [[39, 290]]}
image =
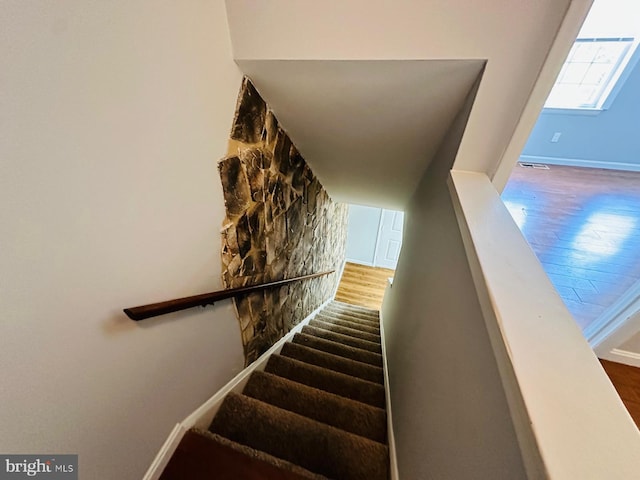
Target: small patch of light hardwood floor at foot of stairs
{"points": [[362, 285]]}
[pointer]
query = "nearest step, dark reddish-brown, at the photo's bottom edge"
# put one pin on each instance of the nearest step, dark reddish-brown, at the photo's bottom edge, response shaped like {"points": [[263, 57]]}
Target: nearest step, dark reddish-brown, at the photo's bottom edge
{"points": [[204, 455]]}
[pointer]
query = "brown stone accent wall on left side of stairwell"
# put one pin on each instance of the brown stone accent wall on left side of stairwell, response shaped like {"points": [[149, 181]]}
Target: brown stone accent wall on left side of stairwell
{"points": [[280, 224]]}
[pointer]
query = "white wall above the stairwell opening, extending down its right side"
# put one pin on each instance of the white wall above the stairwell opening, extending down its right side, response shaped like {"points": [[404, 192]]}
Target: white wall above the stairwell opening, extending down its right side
{"points": [[514, 36]]}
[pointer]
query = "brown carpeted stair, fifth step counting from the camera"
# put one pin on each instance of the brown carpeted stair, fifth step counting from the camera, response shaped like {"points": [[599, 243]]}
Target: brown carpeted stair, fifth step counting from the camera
{"points": [[333, 362]]}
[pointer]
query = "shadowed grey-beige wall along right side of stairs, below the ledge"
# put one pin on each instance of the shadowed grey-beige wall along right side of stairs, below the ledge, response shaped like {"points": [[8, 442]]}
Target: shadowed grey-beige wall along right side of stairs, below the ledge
{"points": [[451, 418]]}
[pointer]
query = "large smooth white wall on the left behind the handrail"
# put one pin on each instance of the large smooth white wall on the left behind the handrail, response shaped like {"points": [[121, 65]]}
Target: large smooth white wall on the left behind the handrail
{"points": [[113, 117]]}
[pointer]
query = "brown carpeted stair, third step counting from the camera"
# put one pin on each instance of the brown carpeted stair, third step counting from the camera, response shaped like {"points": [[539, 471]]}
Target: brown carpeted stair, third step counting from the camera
{"points": [[340, 412]]}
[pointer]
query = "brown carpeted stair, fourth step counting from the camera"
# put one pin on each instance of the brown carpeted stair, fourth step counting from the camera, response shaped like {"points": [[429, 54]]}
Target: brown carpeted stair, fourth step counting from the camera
{"points": [[327, 380]]}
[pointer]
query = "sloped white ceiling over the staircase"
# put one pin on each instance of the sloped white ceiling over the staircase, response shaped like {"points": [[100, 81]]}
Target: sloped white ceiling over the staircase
{"points": [[368, 129]]}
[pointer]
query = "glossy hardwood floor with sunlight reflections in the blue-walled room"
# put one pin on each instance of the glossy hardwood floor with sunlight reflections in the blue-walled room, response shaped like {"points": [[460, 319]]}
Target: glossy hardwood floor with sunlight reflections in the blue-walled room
{"points": [[584, 226]]}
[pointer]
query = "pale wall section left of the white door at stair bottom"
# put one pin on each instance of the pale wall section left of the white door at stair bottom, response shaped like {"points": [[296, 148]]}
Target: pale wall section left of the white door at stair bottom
{"points": [[362, 233]]}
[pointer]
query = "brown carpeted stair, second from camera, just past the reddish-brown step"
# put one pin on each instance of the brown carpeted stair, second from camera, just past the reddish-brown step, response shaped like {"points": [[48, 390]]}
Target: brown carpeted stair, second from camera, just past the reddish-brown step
{"points": [[312, 445]]}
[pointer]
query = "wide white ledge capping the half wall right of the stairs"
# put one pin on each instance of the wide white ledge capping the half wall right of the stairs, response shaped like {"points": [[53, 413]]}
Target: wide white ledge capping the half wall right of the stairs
{"points": [[565, 411]]}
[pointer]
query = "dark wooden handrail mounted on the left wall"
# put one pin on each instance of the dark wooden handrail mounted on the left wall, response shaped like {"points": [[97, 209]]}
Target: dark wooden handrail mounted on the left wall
{"points": [[169, 306]]}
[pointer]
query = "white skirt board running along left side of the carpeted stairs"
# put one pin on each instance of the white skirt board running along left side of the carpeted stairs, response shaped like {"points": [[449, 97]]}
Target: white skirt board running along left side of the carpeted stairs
{"points": [[204, 414]]}
